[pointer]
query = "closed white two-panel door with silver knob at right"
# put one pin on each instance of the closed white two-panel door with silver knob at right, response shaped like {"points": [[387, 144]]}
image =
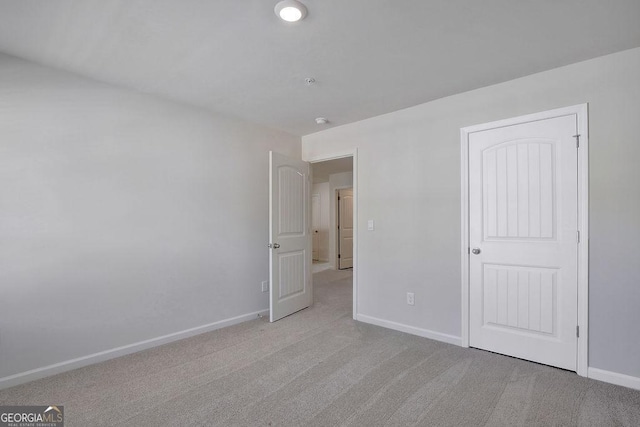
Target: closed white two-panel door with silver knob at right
{"points": [[524, 242]]}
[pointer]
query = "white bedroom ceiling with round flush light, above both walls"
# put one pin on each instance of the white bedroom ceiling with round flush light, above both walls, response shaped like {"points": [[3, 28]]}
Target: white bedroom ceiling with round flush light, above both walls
{"points": [[369, 57]]}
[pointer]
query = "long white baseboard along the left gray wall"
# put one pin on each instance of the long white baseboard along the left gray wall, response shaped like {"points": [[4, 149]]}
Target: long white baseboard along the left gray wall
{"points": [[79, 362]]}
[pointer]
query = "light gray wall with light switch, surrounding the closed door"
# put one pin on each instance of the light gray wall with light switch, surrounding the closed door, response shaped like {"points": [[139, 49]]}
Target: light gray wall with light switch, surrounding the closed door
{"points": [[409, 182]]}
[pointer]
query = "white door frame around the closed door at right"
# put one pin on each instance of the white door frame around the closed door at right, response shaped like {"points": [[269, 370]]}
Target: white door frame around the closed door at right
{"points": [[581, 113]]}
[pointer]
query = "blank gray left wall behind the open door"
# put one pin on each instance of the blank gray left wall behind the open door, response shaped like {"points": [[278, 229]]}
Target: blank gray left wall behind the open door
{"points": [[123, 217]]}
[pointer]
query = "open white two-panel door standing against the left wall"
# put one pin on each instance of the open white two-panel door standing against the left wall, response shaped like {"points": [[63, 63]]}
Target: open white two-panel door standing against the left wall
{"points": [[289, 236]]}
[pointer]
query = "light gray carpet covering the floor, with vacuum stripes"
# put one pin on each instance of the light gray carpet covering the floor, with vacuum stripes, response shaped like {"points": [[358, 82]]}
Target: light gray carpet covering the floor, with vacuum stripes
{"points": [[321, 368]]}
